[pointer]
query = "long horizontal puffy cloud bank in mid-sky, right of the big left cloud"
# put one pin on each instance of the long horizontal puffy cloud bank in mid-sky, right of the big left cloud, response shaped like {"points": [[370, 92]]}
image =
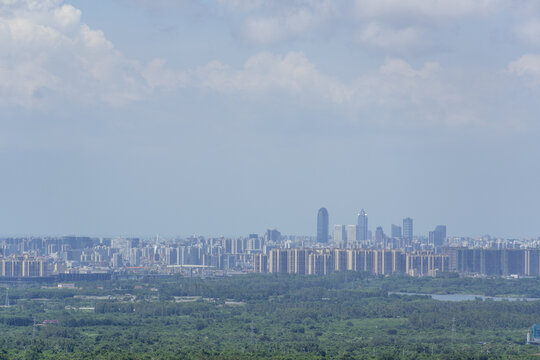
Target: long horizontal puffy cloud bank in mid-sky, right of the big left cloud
{"points": [[395, 84]]}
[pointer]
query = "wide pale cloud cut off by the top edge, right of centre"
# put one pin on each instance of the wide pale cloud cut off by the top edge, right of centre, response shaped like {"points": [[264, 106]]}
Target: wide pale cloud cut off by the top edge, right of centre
{"points": [[381, 23]]}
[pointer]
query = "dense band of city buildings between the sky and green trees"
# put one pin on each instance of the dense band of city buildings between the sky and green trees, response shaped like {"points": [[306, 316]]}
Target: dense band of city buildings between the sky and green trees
{"points": [[56, 258]]}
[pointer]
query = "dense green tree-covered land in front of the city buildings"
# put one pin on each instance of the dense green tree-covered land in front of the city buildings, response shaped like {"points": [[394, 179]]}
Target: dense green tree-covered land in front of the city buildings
{"points": [[340, 316]]}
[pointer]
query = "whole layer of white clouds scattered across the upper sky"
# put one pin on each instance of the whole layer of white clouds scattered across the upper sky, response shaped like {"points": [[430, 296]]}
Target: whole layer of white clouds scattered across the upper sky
{"points": [[54, 57]]}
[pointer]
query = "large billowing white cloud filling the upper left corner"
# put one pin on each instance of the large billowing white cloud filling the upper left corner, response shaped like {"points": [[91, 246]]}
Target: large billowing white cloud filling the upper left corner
{"points": [[53, 54]]}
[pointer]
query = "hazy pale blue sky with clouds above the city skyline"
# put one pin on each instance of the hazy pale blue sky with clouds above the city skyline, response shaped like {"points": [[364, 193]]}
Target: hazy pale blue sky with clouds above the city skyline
{"points": [[227, 117]]}
